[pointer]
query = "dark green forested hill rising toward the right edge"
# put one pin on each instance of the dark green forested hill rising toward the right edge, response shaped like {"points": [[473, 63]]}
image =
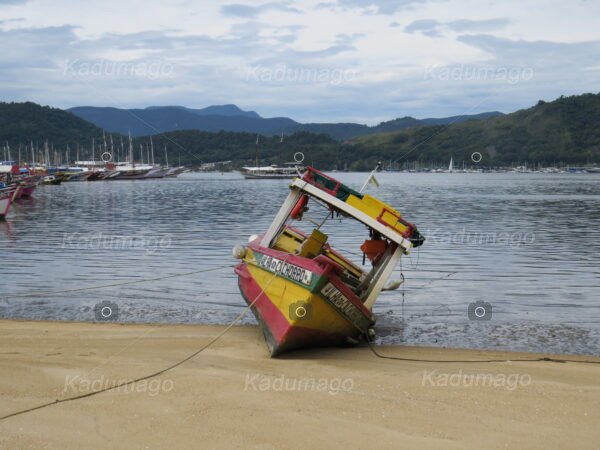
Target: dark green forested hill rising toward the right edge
{"points": [[564, 130]]}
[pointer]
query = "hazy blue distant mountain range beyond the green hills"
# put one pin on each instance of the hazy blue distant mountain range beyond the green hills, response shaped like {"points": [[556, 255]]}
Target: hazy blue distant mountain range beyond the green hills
{"points": [[160, 119]]}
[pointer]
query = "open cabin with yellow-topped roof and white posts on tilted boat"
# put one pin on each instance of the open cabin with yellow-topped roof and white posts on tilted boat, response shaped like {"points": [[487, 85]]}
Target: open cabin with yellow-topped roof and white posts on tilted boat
{"points": [[389, 235]]}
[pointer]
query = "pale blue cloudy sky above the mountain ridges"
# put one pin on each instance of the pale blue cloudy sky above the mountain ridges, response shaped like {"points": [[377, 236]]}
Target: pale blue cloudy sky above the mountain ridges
{"points": [[321, 60]]}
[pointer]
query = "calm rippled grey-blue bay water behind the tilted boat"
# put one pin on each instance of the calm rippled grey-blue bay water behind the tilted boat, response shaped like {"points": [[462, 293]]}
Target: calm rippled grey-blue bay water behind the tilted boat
{"points": [[529, 245]]}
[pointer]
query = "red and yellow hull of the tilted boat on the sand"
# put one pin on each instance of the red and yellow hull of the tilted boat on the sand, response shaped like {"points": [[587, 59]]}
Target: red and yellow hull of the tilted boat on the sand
{"points": [[275, 300]]}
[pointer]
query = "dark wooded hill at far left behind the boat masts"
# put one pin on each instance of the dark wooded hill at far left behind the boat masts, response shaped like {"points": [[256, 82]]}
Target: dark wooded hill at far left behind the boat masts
{"points": [[23, 123]]}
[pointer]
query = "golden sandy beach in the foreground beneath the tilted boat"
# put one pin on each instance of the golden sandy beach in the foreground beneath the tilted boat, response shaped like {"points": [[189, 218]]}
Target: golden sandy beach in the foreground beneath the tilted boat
{"points": [[233, 395]]}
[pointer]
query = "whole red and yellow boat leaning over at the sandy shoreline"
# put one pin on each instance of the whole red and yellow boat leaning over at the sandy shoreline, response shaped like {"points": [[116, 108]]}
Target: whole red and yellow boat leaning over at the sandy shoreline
{"points": [[303, 292]]}
